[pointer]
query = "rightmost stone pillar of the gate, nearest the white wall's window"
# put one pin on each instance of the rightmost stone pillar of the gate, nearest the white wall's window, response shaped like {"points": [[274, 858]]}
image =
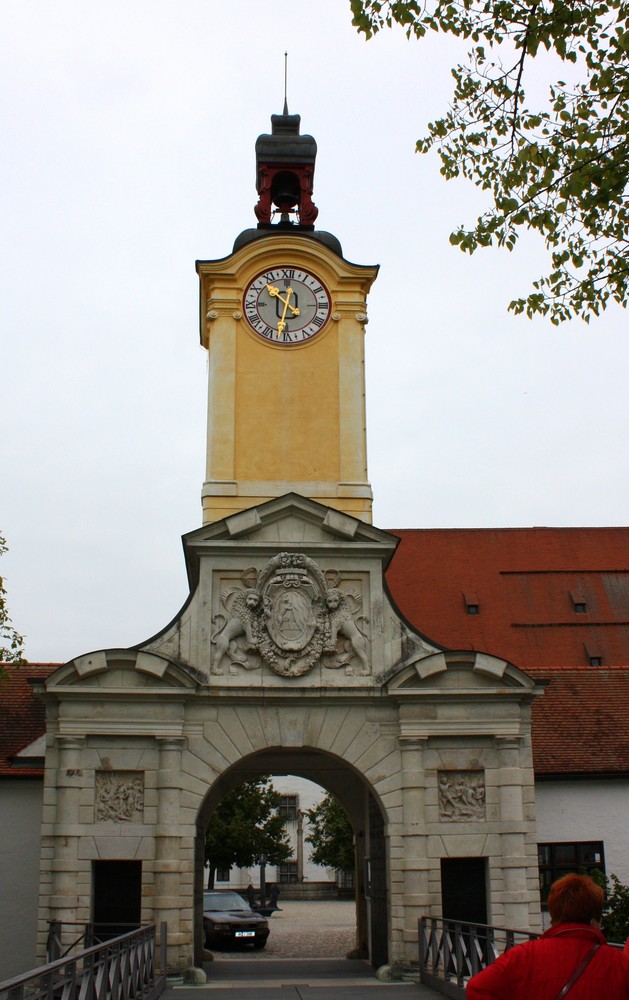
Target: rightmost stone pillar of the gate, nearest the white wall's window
{"points": [[514, 858]]}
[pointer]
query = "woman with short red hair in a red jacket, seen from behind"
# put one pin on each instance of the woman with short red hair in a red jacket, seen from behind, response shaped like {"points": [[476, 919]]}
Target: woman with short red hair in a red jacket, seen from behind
{"points": [[572, 956]]}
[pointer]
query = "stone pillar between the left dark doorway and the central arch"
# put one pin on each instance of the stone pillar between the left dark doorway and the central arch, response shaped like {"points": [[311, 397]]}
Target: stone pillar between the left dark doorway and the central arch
{"points": [[169, 898]]}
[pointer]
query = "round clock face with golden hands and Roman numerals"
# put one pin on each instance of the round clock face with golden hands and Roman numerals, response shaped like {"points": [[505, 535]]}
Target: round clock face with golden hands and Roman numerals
{"points": [[287, 305]]}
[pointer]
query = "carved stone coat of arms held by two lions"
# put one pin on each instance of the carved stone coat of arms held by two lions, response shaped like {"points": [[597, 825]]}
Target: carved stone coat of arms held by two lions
{"points": [[290, 616]]}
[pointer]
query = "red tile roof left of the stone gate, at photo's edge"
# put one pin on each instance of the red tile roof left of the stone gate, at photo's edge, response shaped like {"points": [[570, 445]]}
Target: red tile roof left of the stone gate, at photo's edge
{"points": [[22, 716]]}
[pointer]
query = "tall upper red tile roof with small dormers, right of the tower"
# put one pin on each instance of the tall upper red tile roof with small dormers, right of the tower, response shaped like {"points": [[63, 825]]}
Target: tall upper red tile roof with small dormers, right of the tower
{"points": [[526, 582]]}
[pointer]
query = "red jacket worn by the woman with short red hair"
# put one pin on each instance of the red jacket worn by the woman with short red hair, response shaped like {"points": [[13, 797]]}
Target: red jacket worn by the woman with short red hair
{"points": [[539, 969]]}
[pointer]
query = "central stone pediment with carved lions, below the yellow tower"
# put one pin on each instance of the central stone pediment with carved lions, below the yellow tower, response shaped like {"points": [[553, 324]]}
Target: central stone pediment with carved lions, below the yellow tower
{"points": [[288, 592]]}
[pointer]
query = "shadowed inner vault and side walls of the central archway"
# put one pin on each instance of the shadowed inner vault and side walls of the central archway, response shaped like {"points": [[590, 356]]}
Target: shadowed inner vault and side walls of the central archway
{"points": [[366, 814]]}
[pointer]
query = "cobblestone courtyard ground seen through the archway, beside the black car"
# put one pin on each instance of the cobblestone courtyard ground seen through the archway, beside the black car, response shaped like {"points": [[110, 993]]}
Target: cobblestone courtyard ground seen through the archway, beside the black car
{"points": [[305, 929]]}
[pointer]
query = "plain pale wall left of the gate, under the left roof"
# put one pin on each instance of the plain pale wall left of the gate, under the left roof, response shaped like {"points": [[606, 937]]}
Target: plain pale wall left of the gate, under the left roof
{"points": [[20, 839]]}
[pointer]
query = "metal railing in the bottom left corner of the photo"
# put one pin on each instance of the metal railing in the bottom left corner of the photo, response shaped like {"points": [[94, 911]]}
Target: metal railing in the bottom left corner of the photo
{"points": [[123, 968]]}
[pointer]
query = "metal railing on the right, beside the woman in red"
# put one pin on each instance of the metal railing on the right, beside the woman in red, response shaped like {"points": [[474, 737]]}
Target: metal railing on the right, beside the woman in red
{"points": [[450, 953]]}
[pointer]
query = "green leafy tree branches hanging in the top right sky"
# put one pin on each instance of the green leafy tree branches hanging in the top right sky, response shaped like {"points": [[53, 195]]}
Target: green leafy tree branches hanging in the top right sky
{"points": [[558, 166]]}
